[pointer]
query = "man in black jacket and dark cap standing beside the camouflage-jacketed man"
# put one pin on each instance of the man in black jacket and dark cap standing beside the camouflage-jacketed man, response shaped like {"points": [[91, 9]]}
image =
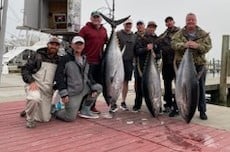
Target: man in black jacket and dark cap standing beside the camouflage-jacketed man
{"points": [[168, 73]]}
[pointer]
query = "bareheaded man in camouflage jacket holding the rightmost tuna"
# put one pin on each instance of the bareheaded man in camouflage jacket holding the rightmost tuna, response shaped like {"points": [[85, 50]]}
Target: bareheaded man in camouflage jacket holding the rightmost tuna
{"points": [[199, 42]]}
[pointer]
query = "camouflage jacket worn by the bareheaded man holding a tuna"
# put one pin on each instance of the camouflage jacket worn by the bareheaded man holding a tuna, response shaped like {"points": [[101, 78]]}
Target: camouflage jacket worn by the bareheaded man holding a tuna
{"points": [[201, 37]]}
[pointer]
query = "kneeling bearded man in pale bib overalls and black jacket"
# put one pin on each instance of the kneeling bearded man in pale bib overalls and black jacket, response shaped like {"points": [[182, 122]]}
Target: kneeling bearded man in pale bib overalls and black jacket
{"points": [[38, 74]]}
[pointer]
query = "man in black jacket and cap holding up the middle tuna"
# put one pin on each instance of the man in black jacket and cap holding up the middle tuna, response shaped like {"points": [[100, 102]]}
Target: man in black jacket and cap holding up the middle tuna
{"points": [[143, 45]]}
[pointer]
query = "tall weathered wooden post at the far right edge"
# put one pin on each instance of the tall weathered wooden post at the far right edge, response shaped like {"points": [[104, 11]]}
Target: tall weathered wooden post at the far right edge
{"points": [[223, 72]]}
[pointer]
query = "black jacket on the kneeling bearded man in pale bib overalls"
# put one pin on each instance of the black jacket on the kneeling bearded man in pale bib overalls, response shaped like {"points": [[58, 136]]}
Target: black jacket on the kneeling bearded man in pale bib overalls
{"points": [[34, 64]]}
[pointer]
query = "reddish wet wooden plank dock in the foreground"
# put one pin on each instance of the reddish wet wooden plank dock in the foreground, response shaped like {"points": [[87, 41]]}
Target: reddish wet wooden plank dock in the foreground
{"points": [[126, 132]]}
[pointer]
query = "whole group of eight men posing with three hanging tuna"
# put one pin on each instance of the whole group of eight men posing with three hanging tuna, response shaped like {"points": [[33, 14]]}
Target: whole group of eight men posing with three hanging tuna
{"points": [[77, 75]]}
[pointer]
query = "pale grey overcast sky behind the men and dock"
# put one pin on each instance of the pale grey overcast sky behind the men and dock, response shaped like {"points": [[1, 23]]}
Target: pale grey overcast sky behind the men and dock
{"points": [[212, 15]]}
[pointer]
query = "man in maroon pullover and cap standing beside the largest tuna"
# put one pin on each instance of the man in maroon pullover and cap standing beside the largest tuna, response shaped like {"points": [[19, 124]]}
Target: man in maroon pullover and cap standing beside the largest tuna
{"points": [[95, 36]]}
